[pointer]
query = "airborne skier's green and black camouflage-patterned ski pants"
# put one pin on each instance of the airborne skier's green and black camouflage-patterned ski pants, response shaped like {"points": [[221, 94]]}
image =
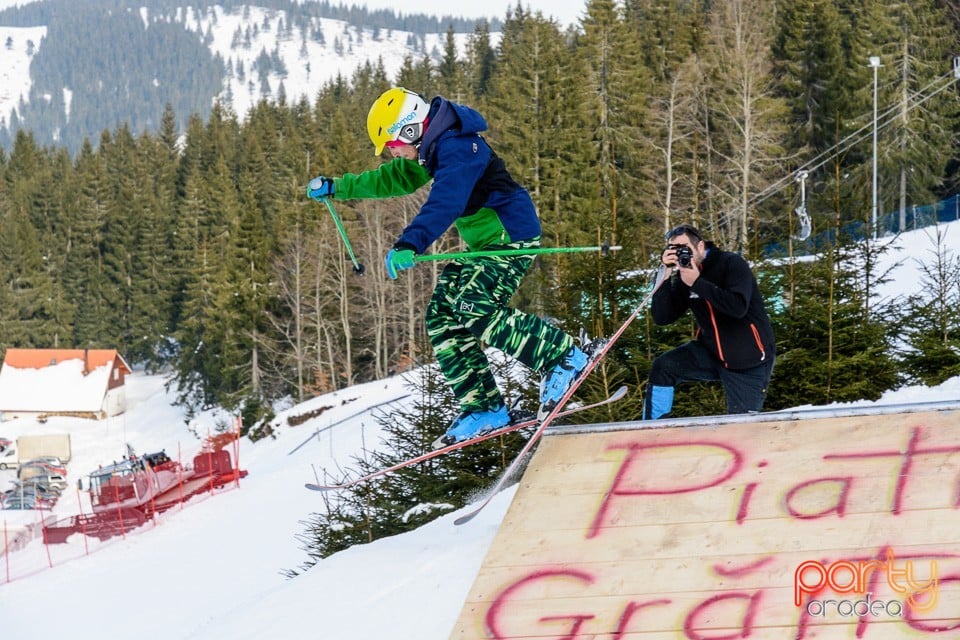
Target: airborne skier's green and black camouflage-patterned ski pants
{"points": [[469, 308]]}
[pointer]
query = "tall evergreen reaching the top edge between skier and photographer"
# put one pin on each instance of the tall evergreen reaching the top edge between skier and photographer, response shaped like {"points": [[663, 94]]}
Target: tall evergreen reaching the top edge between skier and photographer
{"points": [[613, 91]]}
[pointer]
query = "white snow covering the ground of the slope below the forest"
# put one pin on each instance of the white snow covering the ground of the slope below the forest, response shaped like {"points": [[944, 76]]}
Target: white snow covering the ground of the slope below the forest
{"points": [[213, 569]]}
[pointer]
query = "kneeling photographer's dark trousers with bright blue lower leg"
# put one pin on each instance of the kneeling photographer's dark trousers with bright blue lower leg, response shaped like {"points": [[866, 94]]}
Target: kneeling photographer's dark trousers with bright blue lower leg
{"points": [[745, 389]]}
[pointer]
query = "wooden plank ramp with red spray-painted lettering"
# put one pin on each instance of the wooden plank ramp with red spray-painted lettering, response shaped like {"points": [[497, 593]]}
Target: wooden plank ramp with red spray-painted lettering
{"points": [[820, 524]]}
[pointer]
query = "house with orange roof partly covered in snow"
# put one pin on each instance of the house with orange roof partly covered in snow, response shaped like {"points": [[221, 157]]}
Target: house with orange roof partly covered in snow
{"points": [[86, 383]]}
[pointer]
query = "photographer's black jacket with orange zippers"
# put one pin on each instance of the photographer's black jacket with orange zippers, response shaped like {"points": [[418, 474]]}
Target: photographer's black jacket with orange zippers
{"points": [[732, 321]]}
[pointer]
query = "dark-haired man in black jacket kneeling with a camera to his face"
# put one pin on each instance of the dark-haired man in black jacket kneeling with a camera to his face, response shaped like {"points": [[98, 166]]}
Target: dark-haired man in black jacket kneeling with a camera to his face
{"points": [[734, 340]]}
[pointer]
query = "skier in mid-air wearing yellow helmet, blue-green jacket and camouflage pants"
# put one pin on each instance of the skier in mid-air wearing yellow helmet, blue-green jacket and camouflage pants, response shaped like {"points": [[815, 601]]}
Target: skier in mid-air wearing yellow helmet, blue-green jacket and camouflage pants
{"points": [[440, 140]]}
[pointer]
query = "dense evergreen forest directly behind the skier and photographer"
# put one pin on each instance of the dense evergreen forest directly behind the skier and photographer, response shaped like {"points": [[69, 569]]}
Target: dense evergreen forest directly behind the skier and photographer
{"points": [[193, 248]]}
